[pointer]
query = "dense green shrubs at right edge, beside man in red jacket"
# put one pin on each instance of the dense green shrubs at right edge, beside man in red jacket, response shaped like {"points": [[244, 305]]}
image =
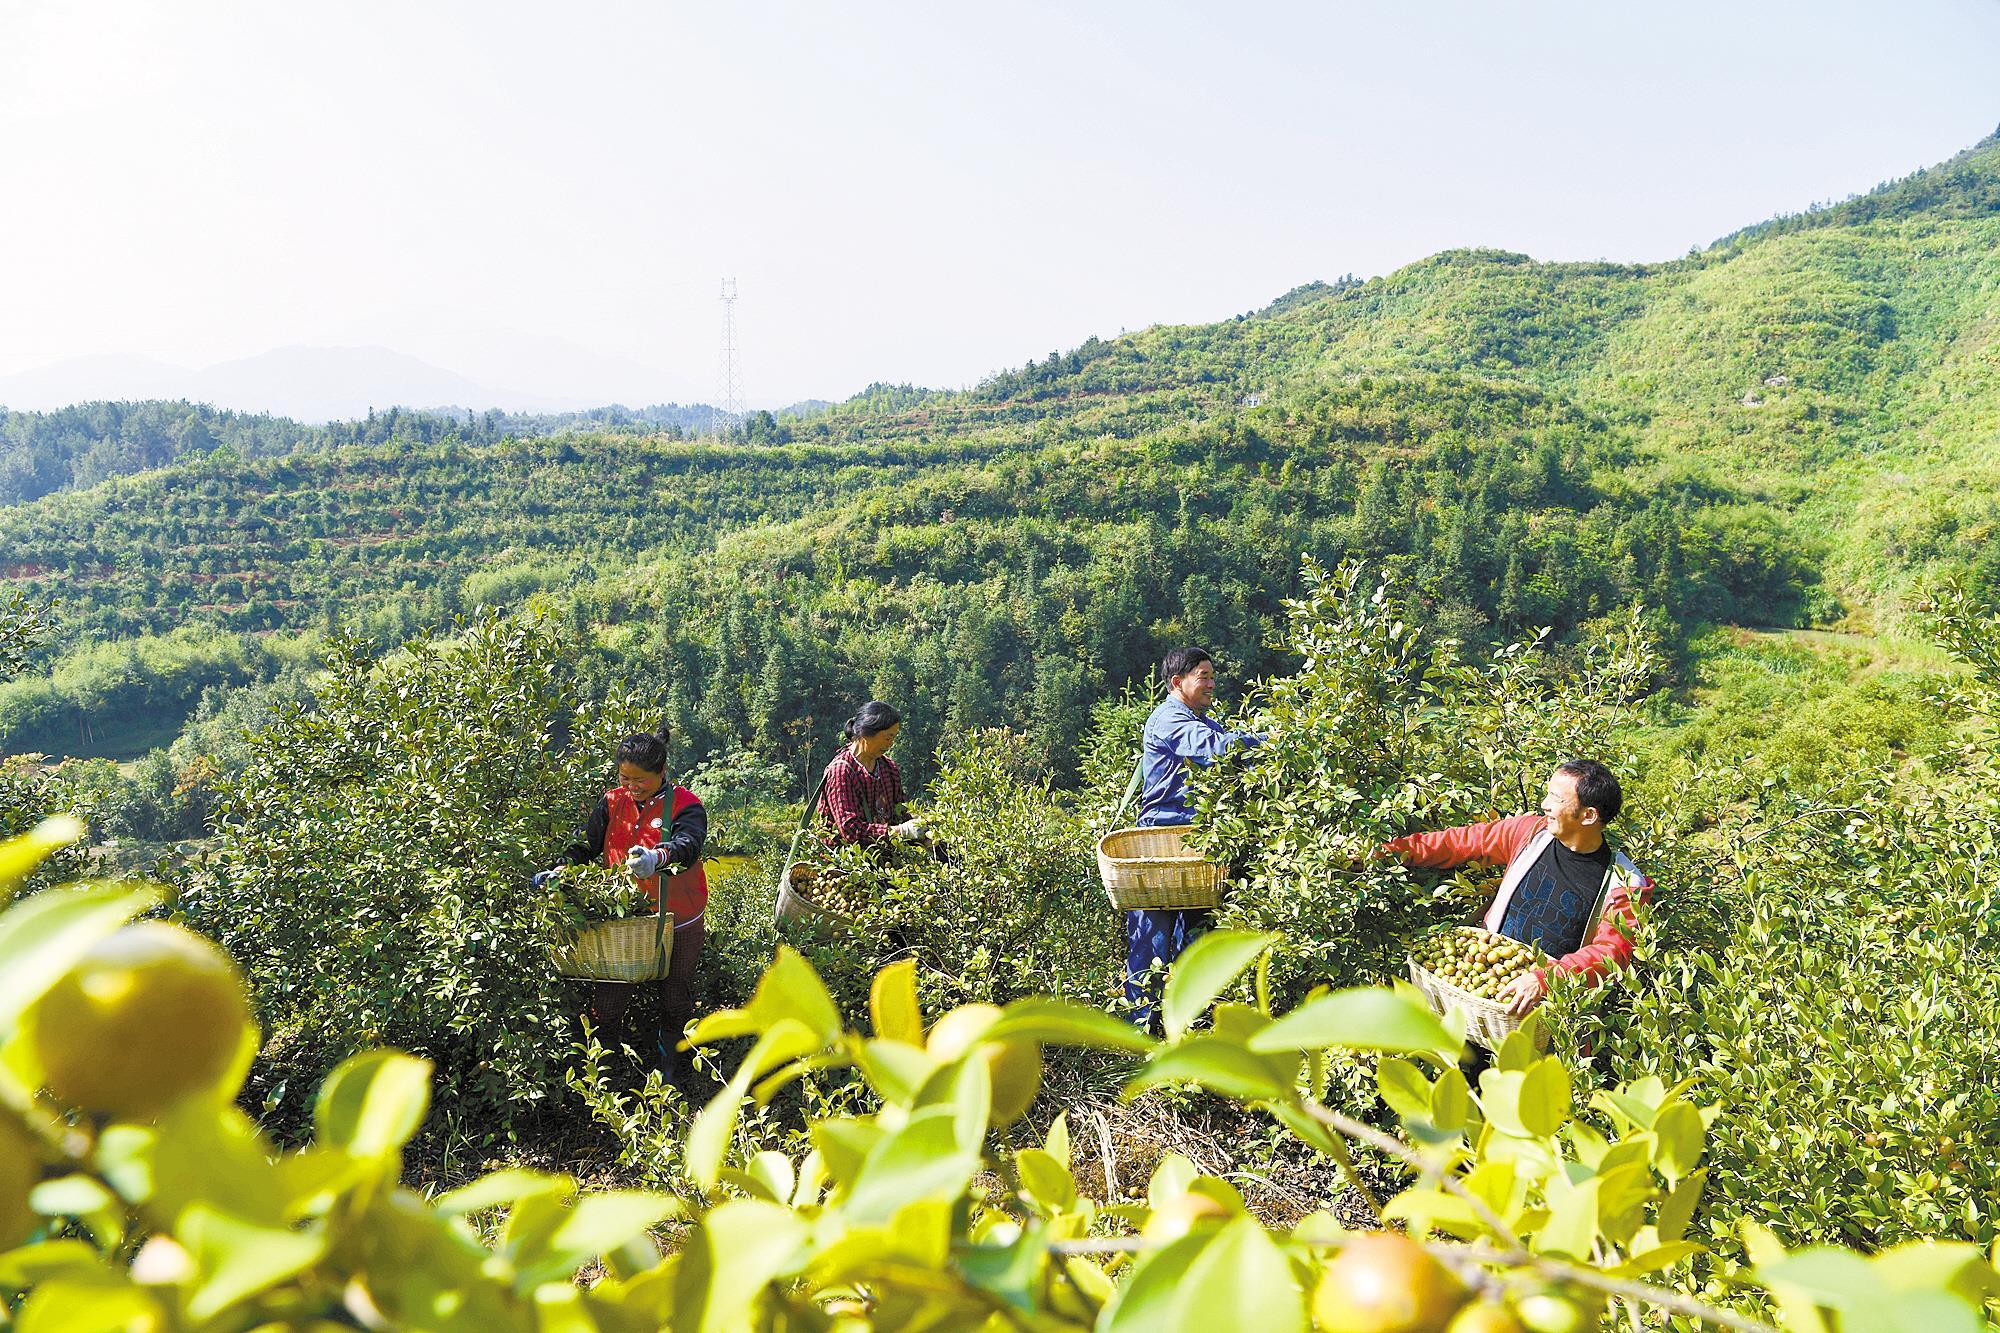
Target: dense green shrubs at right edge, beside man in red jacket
{"points": [[1845, 1008]]}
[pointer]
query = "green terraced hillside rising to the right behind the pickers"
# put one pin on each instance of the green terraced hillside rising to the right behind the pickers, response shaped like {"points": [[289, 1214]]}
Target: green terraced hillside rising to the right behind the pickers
{"points": [[1787, 429]]}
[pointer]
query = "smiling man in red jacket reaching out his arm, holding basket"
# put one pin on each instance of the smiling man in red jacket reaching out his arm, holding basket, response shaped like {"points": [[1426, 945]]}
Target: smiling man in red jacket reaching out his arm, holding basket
{"points": [[1565, 890]]}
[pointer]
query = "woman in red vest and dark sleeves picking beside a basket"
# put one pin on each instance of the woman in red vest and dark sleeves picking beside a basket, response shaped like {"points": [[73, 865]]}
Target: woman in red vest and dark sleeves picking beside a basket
{"points": [[659, 830]]}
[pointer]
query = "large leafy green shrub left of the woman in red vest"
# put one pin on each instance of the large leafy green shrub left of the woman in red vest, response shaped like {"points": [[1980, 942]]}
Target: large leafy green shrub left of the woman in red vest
{"points": [[371, 864]]}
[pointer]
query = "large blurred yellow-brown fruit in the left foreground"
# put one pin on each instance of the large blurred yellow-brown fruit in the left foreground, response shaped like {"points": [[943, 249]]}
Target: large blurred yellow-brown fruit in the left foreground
{"points": [[153, 1014]]}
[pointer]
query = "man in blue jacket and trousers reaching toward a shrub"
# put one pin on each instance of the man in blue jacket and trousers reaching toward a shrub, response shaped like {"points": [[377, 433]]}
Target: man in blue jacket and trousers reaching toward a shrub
{"points": [[1179, 734]]}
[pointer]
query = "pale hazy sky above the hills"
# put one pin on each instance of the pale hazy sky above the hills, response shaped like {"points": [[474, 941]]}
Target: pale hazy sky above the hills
{"points": [[903, 191]]}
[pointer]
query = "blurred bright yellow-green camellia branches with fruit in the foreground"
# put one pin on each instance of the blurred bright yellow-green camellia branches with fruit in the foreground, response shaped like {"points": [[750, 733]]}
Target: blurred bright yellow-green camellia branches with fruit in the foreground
{"points": [[137, 1196]]}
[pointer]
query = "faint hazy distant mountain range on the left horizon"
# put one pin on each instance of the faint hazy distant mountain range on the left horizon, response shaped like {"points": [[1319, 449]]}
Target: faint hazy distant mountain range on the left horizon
{"points": [[339, 383]]}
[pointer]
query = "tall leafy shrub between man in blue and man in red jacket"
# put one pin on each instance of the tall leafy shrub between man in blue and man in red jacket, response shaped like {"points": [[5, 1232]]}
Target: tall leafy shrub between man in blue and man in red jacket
{"points": [[1383, 734]]}
